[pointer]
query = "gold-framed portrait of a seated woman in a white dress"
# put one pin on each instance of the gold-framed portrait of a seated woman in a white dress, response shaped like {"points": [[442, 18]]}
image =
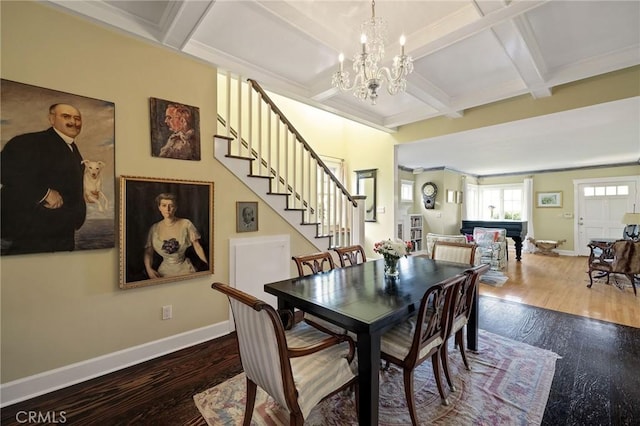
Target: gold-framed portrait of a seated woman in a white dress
{"points": [[166, 230]]}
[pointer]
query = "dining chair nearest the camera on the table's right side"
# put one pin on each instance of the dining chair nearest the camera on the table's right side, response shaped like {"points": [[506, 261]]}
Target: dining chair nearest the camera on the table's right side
{"points": [[411, 342]]}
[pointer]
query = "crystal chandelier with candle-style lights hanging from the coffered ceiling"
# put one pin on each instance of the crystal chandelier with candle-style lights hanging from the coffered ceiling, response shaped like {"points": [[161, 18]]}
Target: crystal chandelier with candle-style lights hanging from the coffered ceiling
{"points": [[369, 75]]}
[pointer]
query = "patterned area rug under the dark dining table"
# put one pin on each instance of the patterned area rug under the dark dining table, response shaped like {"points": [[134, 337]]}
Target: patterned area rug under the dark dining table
{"points": [[508, 385]]}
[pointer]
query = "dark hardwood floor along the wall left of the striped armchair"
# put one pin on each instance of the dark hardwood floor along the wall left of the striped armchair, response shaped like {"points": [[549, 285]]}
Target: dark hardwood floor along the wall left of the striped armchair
{"points": [[156, 392]]}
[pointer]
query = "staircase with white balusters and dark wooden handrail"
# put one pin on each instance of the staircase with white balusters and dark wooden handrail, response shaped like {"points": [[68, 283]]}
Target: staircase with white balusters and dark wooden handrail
{"points": [[257, 143]]}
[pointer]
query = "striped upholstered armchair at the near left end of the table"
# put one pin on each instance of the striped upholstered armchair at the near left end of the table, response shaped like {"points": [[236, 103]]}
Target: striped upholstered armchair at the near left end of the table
{"points": [[296, 377]]}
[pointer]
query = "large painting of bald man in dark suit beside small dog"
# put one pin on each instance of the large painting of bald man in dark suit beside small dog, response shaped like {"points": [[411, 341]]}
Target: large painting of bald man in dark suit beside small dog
{"points": [[58, 173]]}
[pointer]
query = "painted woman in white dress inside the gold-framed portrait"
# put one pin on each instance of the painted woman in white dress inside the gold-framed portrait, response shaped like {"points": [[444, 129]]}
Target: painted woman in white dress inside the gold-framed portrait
{"points": [[170, 238]]}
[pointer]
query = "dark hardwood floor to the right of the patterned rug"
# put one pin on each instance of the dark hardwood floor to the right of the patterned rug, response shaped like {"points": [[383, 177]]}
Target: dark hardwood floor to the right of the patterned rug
{"points": [[597, 381]]}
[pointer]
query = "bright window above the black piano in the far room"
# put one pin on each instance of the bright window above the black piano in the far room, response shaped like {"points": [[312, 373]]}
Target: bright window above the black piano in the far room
{"points": [[500, 202]]}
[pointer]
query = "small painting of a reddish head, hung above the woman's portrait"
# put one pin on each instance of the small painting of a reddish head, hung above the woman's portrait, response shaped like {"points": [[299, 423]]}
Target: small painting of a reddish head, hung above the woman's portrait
{"points": [[175, 130]]}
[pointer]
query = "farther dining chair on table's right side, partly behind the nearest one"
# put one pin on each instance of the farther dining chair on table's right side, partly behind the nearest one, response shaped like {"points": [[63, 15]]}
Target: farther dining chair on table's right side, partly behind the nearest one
{"points": [[461, 304]]}
